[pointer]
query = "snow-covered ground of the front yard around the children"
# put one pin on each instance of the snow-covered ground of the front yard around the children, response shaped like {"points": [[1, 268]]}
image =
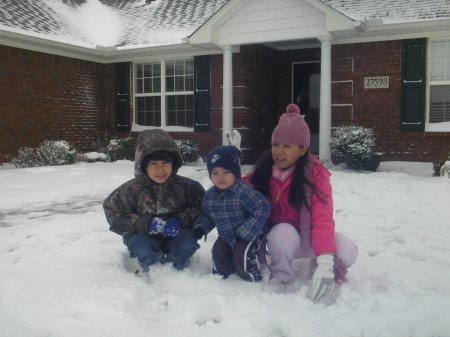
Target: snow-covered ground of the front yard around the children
{"points": [[63, 273]]}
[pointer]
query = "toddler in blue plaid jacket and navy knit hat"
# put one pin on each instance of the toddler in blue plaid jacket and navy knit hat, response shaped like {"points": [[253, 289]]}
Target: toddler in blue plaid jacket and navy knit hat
{"points": [[237, 211]]}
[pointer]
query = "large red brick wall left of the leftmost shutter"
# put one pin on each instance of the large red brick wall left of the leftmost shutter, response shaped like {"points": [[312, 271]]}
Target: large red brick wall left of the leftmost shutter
{"points": [[44, 96]]}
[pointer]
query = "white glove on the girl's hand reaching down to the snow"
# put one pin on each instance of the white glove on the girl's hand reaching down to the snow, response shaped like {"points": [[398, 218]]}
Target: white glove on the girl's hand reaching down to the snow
{"points": [[323, 278]]}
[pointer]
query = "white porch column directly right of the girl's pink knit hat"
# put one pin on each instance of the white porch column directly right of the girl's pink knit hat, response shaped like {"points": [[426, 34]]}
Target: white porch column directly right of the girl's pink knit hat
{"points": [[325, 99]]}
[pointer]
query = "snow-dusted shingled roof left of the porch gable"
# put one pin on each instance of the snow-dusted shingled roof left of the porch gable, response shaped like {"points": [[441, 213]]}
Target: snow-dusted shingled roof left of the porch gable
{"points": [[155, 23]]}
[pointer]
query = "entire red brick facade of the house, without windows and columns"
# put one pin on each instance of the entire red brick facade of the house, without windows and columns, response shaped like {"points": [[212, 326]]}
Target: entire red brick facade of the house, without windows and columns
{"points": [[44, 96]]}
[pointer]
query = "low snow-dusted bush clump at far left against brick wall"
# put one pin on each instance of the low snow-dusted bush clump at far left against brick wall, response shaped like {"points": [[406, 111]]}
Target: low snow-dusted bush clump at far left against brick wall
{"points": [[48, 153]]}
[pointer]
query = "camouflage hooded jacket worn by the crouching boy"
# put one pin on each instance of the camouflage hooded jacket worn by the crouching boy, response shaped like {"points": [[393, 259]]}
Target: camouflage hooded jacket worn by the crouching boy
{"points": [[140, 199]]}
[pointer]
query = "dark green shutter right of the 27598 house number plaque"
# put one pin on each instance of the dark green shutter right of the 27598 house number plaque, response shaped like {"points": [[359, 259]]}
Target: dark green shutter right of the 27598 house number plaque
{"points": [[413, 85]]}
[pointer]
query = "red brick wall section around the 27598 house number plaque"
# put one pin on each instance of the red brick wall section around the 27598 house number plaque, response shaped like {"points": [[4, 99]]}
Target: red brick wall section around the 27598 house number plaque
{"points": [[378, 108]]}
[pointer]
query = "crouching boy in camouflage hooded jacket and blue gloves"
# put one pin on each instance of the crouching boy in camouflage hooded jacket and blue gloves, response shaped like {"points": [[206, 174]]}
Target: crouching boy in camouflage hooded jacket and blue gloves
{"points": [[155, 211]]}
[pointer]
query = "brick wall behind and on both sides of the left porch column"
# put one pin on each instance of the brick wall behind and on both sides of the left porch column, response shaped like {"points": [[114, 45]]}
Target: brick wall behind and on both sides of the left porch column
{"points": [[254, 97]]}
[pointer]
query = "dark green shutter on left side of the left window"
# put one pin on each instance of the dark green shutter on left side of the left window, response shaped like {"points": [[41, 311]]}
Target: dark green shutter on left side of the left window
{"points": [[122, 96]]}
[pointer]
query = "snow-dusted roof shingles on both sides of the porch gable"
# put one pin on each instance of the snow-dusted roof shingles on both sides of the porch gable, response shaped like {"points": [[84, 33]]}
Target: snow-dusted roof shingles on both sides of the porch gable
{"points": [[165, 22]]}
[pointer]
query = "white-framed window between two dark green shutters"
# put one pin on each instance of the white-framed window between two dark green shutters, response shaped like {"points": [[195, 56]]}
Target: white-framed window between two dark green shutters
{"points": [[164, 93]]}
